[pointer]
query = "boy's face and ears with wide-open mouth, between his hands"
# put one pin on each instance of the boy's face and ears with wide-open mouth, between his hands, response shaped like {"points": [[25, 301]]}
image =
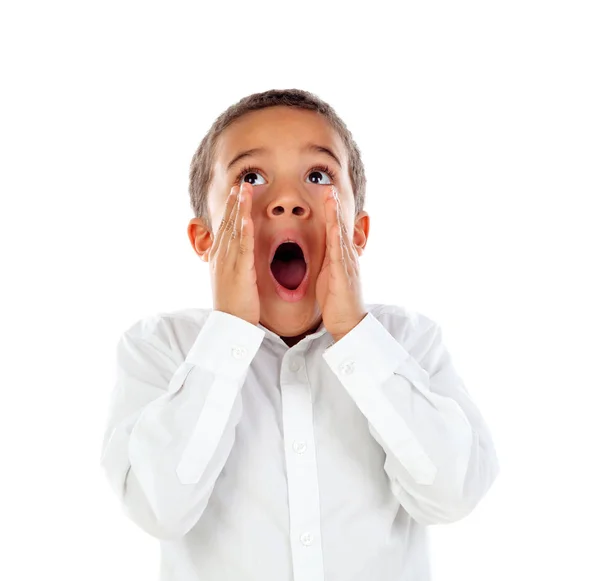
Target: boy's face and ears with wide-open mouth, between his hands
{"points": [[287, 201]]}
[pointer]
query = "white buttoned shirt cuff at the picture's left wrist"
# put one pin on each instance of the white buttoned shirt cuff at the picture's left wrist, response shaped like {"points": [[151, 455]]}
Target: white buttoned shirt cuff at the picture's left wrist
{"points": [[226, 345]]}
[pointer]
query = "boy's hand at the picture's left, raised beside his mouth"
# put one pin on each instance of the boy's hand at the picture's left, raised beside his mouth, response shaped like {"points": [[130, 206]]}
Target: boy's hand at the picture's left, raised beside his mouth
{"points": [[231, 259]]}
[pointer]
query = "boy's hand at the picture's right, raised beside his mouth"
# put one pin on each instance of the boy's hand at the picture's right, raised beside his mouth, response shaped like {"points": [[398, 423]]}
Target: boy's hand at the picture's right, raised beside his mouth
{"points": [[338, 288]]}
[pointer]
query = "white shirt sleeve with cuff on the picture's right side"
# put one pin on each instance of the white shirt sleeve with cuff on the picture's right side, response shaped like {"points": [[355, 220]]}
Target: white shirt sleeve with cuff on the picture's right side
{"points": [[440, 457]]}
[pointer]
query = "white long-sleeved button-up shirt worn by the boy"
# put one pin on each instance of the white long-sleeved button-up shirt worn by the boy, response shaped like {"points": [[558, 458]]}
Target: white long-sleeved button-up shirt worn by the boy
{"points": [[251, 460]]}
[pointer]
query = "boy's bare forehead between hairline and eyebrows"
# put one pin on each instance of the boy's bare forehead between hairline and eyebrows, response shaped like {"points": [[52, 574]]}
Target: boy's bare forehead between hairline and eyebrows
{"points": [[277, 129]]}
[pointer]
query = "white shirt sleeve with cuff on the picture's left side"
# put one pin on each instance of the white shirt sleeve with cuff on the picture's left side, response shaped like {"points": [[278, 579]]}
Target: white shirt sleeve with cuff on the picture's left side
{"points": [[171, 424]]}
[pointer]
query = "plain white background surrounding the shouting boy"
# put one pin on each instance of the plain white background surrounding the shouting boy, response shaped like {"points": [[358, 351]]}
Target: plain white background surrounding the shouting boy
{"points": [[480, 131]]}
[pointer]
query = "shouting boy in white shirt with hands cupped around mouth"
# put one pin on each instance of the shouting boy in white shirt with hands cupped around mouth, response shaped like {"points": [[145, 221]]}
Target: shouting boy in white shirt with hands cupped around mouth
{"points": [[292, 431]]}
